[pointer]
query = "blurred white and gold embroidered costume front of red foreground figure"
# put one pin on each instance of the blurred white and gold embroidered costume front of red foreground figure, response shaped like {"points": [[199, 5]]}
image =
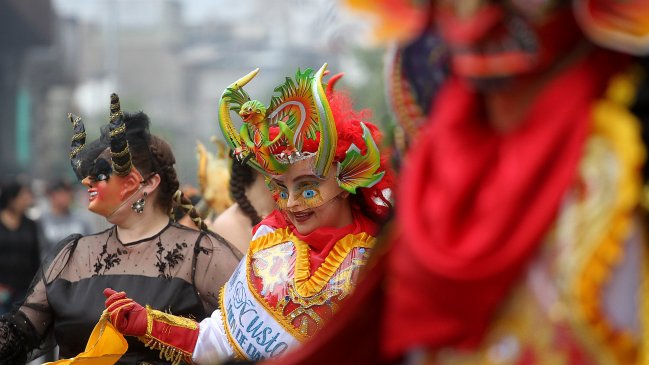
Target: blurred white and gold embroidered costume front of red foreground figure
{"points": [[560, 301]]}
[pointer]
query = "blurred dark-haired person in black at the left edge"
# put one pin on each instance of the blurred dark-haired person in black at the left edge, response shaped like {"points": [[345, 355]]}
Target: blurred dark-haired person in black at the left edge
{"points": [[19, 243]]}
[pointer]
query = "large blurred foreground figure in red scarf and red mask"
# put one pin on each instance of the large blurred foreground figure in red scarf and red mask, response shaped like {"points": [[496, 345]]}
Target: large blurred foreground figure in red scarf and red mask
{"points": [[520, 236]]}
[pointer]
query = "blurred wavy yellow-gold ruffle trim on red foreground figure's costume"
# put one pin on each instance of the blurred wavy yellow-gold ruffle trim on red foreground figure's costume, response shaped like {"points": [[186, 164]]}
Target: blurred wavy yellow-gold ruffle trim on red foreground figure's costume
{"points": [[613, 121]]}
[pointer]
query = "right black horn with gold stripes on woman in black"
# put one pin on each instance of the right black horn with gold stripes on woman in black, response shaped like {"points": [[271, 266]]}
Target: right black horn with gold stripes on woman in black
{"points": [[119, 150]]}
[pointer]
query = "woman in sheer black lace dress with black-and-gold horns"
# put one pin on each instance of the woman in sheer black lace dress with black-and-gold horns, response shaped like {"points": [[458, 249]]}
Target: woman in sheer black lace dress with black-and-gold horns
{"points": [[131, 181]]}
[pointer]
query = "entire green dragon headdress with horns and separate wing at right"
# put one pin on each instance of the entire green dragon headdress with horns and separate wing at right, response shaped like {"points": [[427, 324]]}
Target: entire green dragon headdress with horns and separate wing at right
{"points": [[298, 119]]}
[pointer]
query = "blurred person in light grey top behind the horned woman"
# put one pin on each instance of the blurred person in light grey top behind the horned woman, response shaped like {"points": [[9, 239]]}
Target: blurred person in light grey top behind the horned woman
{"points": [[59, 219]]}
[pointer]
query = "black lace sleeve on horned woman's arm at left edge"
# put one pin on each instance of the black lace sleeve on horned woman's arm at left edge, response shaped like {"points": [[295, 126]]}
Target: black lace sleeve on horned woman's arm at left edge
{"points": [[23, 330]]}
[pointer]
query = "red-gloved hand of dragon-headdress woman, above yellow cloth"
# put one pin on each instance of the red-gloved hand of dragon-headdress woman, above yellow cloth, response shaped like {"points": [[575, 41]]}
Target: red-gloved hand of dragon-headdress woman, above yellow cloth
{"points": [[125, 314]]}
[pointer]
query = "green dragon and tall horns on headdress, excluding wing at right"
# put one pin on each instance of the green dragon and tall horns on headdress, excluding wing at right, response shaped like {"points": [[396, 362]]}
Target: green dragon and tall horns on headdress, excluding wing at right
{"points": [[300, 112]]}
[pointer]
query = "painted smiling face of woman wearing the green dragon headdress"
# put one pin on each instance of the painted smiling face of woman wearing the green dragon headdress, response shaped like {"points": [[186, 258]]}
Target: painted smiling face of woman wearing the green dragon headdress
{"points": [[308, 201]]}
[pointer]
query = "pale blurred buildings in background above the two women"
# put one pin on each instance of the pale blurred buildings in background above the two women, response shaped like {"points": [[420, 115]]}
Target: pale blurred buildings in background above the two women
{"points": [[169, 58]]}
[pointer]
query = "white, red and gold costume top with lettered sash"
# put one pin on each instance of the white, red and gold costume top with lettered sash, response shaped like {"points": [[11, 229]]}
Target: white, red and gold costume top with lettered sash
{"points": [[275, 299]]}
